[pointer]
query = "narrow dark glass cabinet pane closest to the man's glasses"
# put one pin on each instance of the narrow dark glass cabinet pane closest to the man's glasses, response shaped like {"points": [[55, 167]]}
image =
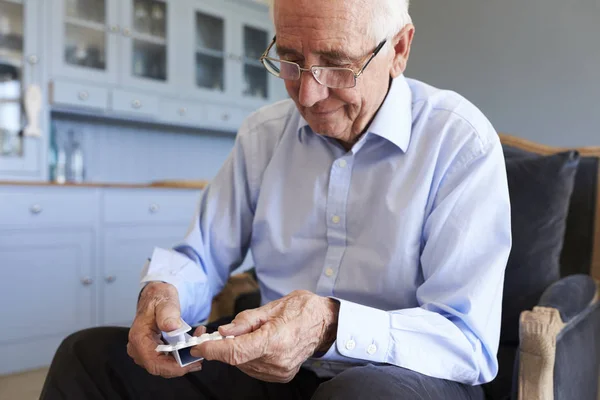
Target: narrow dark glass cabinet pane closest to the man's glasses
{"points": [[256, 82]]}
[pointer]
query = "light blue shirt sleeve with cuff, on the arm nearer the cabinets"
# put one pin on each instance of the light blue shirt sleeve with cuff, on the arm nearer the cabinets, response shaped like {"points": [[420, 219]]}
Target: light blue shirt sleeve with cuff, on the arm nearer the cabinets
{"points": [[218, 239]]}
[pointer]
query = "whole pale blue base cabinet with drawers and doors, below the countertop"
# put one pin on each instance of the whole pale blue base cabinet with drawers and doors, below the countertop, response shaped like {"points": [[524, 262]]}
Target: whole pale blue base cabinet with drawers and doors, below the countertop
{"points": [[72, 257]]}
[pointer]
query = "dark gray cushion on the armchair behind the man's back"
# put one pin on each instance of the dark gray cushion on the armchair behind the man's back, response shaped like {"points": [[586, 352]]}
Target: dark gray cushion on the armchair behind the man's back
{"points": [[540, 189]]}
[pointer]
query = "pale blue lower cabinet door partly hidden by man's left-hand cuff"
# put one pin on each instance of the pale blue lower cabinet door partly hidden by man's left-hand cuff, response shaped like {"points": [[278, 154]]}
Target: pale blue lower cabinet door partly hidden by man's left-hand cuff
{"points": [[126, 250]]}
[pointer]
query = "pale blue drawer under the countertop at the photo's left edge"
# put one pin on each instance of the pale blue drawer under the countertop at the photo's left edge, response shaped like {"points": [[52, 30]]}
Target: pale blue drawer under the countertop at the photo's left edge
{"points": [[35, 206]]}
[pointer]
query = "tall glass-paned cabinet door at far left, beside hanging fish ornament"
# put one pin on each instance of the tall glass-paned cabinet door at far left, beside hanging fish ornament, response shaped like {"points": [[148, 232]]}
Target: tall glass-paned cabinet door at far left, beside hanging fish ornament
{"points": [[20, 157]]}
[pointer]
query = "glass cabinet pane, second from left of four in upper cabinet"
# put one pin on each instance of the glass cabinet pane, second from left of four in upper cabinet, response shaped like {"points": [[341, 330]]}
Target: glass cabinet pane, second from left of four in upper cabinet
{"points": [[150, 40]]}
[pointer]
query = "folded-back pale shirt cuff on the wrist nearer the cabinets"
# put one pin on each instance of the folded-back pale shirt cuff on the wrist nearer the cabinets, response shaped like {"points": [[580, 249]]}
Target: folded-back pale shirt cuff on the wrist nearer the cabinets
{"points": [[172, 267]]}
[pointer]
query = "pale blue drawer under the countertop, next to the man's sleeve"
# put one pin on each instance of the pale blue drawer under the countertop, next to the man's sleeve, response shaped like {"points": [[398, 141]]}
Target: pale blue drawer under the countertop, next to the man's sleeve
{"points": [[147, 206]]}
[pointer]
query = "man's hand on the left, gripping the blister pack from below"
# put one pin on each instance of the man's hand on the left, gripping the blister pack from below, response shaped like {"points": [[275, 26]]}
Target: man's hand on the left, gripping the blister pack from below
{"points": [[158, 310]]}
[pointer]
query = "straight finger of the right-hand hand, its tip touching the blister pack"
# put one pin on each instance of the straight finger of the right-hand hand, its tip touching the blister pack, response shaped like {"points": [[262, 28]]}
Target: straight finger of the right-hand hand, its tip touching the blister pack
{"points": [[236, 351]]}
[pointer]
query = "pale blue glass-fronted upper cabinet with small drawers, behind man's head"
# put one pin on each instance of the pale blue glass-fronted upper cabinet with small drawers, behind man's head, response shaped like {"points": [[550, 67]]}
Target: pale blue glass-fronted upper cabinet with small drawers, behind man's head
{"points": [[162, 60]]}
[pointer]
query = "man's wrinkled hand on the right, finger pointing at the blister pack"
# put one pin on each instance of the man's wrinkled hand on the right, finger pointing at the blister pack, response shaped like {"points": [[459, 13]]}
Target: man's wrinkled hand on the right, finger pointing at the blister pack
{"points": [[272, 342]]}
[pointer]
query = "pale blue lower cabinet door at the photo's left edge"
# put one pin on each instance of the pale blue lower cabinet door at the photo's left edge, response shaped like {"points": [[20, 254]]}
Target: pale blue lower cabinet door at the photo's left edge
{"points": [[46, 293]]}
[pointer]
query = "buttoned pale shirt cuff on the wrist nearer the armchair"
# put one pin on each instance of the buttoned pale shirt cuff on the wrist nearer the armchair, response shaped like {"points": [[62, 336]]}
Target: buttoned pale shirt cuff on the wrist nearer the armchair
{"points": [[363, 333]]}
